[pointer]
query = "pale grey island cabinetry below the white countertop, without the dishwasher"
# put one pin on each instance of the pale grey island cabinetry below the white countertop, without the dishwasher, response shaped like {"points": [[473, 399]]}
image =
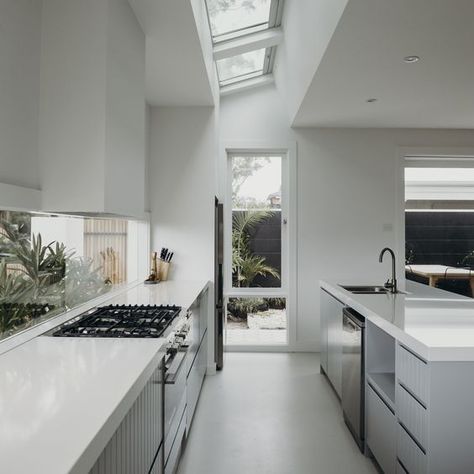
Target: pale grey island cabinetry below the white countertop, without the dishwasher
{"points": [[419, 416]]}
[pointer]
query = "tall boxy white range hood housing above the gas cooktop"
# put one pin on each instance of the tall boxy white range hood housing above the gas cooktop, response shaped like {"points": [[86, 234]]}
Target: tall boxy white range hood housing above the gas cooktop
{"points": [[92, 108]]}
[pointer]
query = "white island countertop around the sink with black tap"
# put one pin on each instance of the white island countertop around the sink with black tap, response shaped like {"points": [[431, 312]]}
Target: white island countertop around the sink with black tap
{"points": [[436, 324]]}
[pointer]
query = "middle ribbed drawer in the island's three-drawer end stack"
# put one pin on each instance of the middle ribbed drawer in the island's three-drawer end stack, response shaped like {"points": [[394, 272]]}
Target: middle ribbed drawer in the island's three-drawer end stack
{"points": [[413, 415]]}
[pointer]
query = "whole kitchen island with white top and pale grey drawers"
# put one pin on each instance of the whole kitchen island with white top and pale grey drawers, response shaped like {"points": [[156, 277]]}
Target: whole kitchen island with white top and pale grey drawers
{"points": [[418, 364]]}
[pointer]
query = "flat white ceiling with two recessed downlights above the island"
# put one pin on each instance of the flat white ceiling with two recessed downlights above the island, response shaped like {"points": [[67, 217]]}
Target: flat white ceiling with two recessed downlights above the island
{"points": [[364, 59]]}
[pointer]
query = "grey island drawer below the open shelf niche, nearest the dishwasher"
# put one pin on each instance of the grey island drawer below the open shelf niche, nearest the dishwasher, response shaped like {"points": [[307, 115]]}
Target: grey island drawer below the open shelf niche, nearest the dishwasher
{"points": [[381, 431]]}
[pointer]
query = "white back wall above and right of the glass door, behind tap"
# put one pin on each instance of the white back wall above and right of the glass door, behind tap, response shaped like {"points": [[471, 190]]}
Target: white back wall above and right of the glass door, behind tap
{"points": [[346, 192]]}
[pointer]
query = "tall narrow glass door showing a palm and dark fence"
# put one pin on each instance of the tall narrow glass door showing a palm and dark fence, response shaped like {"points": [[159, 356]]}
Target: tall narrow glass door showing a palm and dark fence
{"points": [[256, 270]]}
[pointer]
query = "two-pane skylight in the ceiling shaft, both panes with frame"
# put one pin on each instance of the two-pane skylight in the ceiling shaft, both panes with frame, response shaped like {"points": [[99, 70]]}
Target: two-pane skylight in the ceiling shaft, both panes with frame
{"points": [[232, 20]]}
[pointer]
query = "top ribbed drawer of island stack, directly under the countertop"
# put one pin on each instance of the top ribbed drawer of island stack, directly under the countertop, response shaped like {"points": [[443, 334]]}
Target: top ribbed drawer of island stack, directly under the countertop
{"points": [[413, 373]]}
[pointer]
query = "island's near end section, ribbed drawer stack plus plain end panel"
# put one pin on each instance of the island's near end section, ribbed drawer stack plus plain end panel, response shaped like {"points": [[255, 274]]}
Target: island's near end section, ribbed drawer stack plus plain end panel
{"points": [[435, 431]]}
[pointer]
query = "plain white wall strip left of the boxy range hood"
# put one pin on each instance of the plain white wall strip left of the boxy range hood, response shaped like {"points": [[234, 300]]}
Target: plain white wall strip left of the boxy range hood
{"points": [[20, 35]]}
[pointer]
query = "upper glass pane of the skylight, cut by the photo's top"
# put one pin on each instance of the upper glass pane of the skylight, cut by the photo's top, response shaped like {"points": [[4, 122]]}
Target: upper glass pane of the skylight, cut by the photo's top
{"points": [[228, 16]]}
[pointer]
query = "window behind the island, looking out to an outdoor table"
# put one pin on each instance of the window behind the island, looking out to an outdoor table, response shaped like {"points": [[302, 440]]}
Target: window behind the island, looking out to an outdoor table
{"points": [[439, 223]]}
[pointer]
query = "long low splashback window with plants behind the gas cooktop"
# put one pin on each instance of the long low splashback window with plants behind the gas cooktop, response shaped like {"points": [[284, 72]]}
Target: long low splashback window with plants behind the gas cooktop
{"points": [[49, 264]]}
